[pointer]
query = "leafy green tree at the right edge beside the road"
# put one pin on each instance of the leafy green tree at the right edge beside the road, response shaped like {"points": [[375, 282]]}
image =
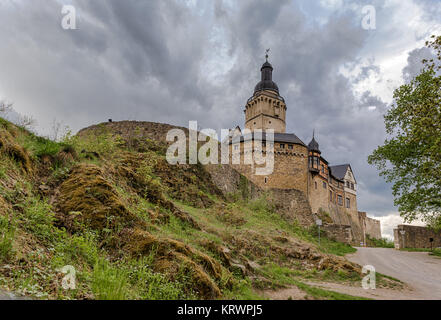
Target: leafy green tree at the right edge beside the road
{"points": [[411, 157]]}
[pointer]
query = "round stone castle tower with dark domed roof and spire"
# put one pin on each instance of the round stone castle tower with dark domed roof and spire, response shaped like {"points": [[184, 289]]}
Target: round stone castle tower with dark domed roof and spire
{"points": [[266, 109]]}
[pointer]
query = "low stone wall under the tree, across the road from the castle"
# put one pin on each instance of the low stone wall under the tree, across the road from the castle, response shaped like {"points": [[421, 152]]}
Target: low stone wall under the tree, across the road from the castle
{"points": [[416, 237]]}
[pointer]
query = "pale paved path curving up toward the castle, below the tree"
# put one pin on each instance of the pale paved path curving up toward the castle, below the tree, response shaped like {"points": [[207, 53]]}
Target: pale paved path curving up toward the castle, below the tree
{"points": [[420, 271]]}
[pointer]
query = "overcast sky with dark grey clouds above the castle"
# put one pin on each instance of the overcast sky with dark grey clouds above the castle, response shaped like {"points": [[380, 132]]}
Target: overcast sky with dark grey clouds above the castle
{"points": [[174, 61]]}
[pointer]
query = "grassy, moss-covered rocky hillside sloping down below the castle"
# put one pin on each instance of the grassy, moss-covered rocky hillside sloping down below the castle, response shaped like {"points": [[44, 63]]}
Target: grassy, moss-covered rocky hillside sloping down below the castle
{"points": [[135, 227]]}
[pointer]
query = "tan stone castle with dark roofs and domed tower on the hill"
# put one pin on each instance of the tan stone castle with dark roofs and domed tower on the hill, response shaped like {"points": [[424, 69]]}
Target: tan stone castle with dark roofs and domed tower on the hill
{"points": [[330, 190]]}
